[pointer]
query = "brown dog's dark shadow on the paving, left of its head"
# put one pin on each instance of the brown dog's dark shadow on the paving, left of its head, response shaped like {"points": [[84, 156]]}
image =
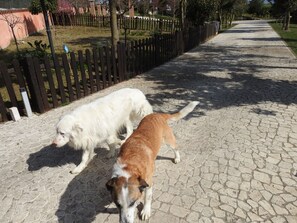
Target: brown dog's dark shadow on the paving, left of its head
{"points": [[86, 195]]}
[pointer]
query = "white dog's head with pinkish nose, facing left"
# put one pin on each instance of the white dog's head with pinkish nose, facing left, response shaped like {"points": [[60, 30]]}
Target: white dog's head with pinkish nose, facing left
{"points": [[67, 129]]}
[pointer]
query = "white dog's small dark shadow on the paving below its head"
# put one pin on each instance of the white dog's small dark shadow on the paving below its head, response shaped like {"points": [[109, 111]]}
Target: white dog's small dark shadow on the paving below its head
{"points": [[50, 156]]}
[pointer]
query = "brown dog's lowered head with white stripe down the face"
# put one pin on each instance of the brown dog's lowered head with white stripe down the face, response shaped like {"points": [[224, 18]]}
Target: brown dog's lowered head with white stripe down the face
{"points": [[125, 193]]}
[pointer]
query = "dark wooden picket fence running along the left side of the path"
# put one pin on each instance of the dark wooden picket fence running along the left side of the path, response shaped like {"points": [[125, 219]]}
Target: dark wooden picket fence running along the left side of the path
{"points": [[69, 77]]}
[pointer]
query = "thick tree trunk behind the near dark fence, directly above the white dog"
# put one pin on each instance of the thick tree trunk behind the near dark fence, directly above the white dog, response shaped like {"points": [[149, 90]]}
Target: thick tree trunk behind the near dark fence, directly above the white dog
{"points": [[113, 23]]}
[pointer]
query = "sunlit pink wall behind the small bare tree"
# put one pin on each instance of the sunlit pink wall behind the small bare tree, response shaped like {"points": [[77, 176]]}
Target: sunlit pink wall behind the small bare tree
{"points": [[29, 24]]}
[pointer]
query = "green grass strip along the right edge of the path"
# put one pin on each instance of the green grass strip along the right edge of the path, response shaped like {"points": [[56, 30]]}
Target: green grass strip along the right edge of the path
{"points": [[290, 36]]}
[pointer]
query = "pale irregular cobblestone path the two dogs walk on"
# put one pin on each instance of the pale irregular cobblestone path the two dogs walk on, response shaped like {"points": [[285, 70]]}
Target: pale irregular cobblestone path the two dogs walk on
{"points": [[238, 147]]}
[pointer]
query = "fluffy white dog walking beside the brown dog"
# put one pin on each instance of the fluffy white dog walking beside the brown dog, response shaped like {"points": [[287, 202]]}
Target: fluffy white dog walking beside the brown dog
{"points": [[100, 121]]}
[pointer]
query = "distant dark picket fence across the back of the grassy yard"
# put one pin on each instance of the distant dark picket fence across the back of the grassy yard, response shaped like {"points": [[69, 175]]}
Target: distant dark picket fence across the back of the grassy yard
{"points": [[63, 19]]}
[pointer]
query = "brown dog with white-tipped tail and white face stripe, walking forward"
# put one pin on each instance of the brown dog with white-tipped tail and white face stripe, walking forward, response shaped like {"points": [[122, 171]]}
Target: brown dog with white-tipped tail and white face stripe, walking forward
{"points": [[133, 171]]}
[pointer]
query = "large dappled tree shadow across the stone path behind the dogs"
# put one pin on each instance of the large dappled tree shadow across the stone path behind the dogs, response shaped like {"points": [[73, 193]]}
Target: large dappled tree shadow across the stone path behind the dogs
{"points": [[219, 78]]}
